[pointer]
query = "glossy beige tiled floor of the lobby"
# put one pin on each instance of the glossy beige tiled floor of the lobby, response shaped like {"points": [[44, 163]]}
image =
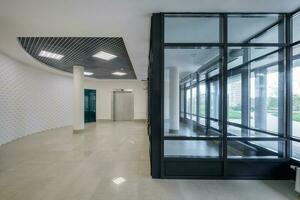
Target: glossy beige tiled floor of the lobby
{"points": [[59, 165]]}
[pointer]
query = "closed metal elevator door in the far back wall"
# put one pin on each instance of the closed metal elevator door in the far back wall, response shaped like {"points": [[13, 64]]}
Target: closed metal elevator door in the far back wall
{"points": [[123, 106]]}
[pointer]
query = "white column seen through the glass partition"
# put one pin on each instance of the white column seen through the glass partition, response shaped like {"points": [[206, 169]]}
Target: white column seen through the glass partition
{"points": [[174, 99]]}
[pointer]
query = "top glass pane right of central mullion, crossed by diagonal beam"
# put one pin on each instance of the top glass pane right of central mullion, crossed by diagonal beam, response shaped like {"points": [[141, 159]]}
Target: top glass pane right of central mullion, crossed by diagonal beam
{"points": [[253, 28]]}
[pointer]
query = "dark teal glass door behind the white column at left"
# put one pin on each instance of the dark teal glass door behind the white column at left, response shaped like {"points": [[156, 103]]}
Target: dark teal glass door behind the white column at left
{"points": [[89, 105]]}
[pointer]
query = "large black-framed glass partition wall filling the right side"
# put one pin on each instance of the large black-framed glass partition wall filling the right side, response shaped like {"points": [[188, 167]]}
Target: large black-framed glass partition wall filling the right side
{"points": [[229, 91]]}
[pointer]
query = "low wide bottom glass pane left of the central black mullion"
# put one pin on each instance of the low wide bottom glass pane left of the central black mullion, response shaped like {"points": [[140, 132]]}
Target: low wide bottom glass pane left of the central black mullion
{"points": [[191, 148]]}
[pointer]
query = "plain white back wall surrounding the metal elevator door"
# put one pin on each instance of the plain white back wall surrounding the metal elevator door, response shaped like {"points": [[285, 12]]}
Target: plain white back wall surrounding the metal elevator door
{"points": [[104, 91]]}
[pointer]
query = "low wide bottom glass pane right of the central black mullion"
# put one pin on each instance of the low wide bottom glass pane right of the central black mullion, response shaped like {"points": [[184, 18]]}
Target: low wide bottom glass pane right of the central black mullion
{"points": [[254, 149]]}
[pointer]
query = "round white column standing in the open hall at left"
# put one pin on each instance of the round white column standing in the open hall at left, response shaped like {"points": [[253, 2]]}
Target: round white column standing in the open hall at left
{"points": [[78, 99]]}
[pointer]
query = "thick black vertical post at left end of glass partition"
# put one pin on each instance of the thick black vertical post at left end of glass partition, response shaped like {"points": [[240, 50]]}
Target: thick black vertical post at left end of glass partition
{"points": [[155, 92]]}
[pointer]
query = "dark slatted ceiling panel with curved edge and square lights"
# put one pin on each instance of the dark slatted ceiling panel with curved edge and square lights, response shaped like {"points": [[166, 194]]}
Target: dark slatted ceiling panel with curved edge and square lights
{"points": [[79, 51]]}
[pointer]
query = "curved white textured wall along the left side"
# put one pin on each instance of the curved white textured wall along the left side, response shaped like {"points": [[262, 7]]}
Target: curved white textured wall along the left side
{"points": [[32, 100]]}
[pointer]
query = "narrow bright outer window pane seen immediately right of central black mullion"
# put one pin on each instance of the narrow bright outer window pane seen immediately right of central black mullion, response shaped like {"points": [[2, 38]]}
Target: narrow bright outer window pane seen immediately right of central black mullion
{"points": [[234, 99]]}
